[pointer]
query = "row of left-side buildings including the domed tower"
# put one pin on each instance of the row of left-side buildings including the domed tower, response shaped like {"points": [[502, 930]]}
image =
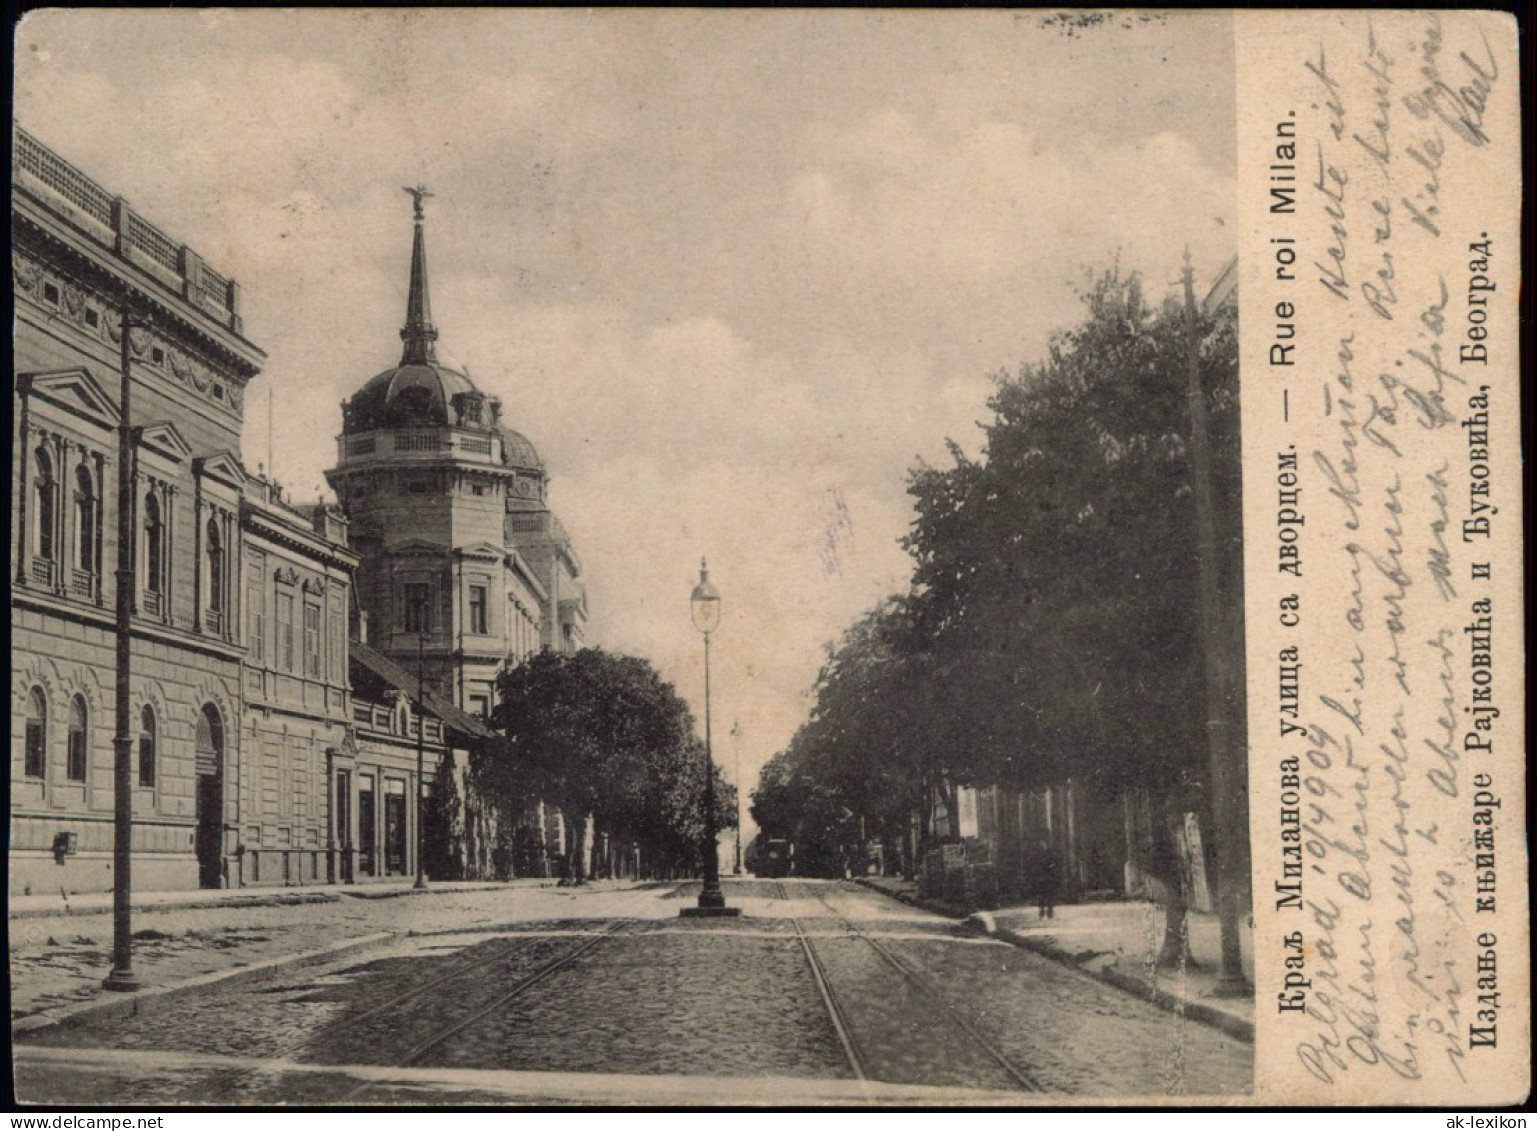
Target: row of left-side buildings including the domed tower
{"points": [[299, 672]]}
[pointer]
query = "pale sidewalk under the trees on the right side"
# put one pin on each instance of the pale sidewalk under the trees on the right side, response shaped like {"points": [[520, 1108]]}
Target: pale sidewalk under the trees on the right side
{"points": [[1118, 943]]}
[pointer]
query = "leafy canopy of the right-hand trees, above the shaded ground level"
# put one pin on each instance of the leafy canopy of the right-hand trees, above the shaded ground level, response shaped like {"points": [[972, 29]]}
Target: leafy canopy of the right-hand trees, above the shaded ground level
{"points": [[1052, 629]]}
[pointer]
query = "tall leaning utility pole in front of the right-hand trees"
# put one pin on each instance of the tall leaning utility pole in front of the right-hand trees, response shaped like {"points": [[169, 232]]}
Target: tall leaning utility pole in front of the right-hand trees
{"points": [[1213, 642]]}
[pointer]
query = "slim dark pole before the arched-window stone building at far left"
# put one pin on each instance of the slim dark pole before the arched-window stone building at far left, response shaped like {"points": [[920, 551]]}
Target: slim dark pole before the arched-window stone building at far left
{"points": [[122, 975]]}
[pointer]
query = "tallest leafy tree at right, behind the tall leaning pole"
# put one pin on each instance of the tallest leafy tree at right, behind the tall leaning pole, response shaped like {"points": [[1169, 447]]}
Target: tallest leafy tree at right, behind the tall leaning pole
{"points": [[1057, 579]]}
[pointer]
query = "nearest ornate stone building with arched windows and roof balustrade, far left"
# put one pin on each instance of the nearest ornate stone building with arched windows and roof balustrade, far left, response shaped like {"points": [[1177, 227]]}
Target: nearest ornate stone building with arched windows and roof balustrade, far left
{"points": [[81, 260]]}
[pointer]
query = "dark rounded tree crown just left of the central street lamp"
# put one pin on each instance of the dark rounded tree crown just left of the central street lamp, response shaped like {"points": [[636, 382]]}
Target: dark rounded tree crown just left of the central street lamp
{"points": [[602, 735]]}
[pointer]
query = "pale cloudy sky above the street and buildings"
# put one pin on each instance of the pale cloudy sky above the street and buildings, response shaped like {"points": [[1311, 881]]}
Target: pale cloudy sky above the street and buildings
{"points": [[732, 273]]}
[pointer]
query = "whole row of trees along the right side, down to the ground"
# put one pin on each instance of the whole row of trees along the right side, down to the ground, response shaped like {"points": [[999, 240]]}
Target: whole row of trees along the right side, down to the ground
{"points": [[1035, 711]]}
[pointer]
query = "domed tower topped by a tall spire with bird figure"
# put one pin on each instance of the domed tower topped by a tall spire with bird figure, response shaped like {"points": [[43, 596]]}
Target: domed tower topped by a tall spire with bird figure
{"points": [[448, 511]]}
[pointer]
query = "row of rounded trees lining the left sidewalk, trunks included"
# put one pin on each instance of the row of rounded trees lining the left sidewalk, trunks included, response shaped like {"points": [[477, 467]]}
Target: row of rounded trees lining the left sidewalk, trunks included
{"points": [[600, 740]]}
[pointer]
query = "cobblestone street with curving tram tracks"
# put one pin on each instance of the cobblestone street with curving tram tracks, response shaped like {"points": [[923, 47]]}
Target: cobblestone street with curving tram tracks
{"points": [[823, 992]]}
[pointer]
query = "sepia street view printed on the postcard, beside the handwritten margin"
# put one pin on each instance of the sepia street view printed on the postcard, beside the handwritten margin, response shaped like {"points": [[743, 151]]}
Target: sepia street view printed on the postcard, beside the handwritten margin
{"points": [[668, 559]]}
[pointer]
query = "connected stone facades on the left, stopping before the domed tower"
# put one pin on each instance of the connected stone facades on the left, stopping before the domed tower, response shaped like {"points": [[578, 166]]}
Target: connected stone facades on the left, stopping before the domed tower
{"points": [[254, 760]]}
